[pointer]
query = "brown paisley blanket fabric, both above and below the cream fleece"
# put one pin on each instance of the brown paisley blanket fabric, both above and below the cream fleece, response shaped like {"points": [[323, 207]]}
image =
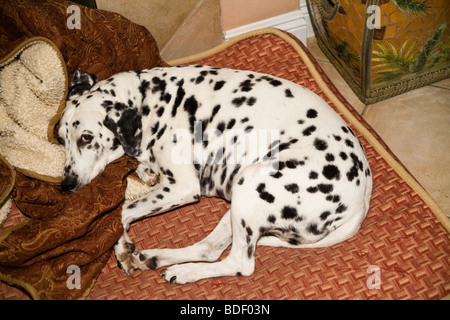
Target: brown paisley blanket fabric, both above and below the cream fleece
{"points": [[65, 231]]}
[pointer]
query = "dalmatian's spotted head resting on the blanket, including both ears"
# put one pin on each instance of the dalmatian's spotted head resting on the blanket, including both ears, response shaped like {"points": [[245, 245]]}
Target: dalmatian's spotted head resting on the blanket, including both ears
{"points": [[95, 129]]}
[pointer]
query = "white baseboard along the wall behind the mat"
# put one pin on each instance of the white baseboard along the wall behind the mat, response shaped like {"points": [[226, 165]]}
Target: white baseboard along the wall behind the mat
{"points": [[293, 22]]}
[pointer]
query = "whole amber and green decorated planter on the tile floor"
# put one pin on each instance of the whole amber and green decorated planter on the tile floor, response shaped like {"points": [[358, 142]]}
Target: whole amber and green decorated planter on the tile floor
{"points": [[384, 47]]}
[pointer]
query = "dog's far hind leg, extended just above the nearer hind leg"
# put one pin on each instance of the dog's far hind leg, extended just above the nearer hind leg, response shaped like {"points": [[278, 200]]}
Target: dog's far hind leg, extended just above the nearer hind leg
{"points": [[208, 249]]}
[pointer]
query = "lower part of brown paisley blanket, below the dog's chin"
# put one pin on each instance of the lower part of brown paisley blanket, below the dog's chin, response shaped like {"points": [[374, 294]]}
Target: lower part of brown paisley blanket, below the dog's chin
{"points": [[63, 232]]}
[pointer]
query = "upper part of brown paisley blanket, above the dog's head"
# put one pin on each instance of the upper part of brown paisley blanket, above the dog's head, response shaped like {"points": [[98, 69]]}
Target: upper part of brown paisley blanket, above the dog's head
{"points": [[105, 44]]}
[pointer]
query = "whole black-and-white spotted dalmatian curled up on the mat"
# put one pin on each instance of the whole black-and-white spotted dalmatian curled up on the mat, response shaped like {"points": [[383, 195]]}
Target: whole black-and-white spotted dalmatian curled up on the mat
{"points": [[293, 170]]}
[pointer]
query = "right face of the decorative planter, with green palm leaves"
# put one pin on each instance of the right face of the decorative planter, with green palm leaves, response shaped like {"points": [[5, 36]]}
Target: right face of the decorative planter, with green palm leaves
{"points": [[415, 39]]}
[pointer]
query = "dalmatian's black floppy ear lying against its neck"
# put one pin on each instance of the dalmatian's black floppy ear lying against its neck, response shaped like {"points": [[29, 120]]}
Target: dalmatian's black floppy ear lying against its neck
{"points": [[127, 129]]}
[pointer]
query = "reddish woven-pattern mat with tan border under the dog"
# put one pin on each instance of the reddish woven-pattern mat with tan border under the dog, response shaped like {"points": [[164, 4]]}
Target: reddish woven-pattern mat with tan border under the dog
{"points": [[401, 252]]}
